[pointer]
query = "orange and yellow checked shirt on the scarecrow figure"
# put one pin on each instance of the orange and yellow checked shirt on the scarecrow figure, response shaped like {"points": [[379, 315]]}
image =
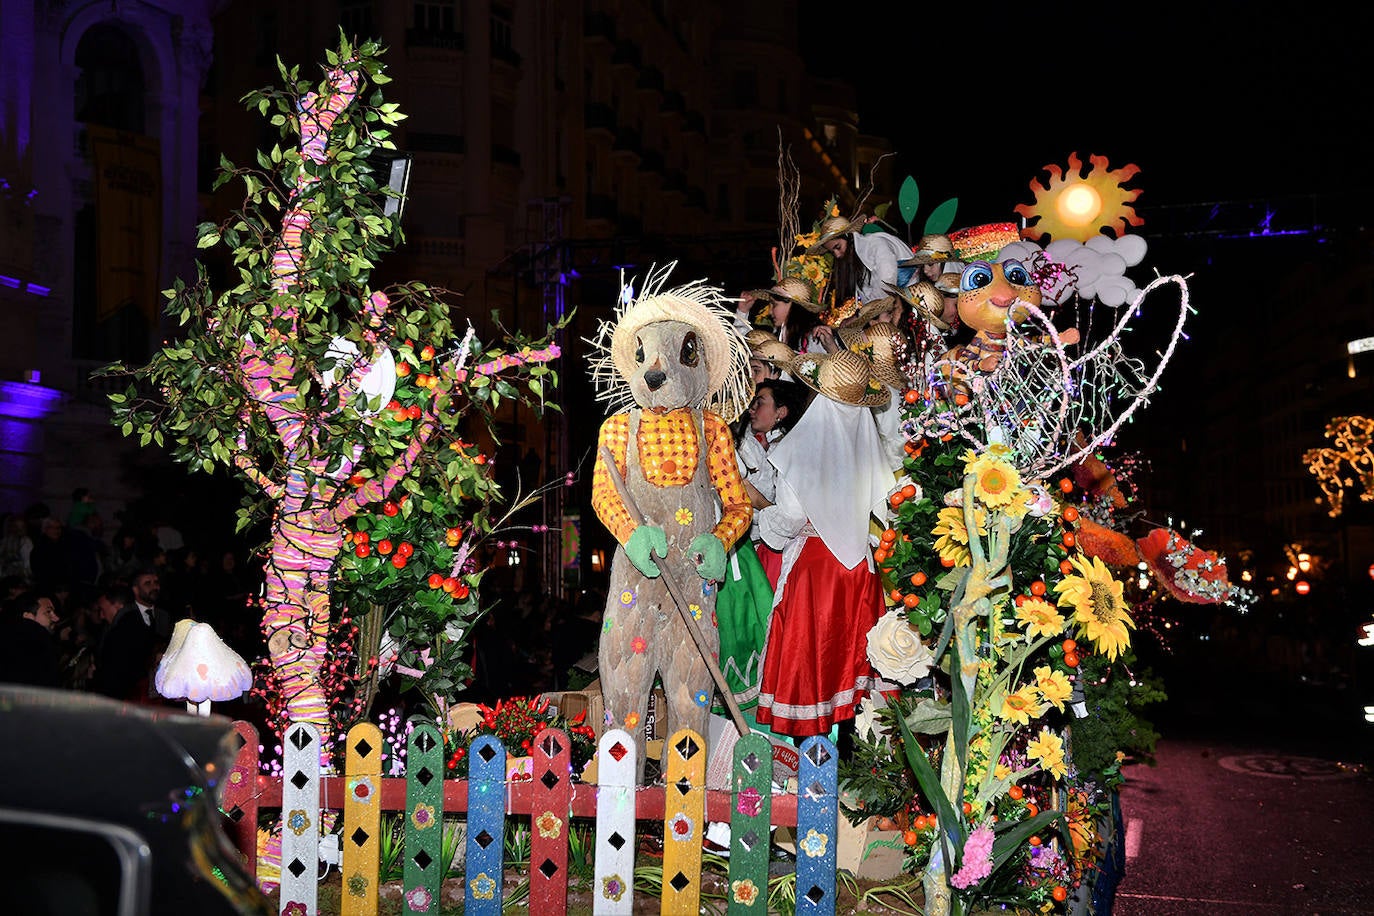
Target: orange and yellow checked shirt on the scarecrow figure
{"points": [[668, 454]]}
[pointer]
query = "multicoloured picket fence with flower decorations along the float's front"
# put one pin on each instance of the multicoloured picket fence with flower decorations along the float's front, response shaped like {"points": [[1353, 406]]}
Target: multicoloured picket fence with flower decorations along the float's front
{"points": [[549, 801]]}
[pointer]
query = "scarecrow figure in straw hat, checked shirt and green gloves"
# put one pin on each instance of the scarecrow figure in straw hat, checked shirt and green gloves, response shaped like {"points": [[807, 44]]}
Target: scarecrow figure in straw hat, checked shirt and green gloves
{"points": [[668, 488]]}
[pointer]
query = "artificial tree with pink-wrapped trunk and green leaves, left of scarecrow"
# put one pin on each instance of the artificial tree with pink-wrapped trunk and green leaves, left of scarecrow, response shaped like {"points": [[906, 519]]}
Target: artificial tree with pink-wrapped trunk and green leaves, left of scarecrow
{"points": [[286, 378]]}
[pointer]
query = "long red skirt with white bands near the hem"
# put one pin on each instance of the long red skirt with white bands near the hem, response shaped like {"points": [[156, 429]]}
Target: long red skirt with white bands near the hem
{"points": [[817, 664]]}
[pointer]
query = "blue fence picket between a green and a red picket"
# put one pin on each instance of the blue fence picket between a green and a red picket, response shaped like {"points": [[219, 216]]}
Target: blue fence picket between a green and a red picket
{"points": [[486, 827]]}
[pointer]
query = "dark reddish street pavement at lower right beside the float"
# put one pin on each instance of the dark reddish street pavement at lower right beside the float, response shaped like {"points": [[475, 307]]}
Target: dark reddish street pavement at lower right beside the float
{"points": [[1262, 807]]}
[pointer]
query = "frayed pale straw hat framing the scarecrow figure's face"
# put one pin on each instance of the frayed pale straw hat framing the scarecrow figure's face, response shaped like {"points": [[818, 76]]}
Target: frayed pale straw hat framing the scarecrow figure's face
{"points": [[697, 304]]}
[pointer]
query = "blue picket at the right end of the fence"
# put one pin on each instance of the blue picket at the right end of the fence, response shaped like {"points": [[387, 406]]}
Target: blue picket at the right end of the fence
{"points": [[818, 810]]}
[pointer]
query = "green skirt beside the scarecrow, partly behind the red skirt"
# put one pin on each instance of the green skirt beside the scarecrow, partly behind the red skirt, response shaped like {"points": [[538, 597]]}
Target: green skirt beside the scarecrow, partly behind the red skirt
{"points": [[744, 606]]}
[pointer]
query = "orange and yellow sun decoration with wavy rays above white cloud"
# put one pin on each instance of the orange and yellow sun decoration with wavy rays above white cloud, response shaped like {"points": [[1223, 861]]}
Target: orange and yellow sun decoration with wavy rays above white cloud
{"points": [[1079, 208]]}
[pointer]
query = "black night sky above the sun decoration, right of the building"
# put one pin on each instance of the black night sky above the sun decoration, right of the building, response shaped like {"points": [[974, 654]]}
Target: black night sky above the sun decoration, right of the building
{"points": [[1218, 104]]}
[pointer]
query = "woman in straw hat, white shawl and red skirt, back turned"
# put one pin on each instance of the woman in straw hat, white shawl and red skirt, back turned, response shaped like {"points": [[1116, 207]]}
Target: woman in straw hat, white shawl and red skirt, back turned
{"points": [[832, 476]]}
